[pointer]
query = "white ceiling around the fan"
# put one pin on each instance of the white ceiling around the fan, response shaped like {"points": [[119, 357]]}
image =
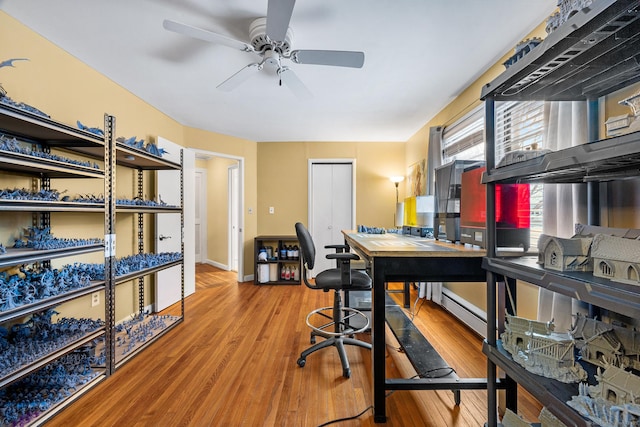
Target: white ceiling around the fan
{"points": [[419, 55]]}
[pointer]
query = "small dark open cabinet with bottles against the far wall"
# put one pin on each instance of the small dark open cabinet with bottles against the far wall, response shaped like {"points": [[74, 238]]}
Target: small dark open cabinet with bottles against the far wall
{"points": [[280, 265]]}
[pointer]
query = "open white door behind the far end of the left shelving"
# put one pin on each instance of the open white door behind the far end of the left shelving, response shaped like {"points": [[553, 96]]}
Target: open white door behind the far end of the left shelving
{"points": [[169, 235]]}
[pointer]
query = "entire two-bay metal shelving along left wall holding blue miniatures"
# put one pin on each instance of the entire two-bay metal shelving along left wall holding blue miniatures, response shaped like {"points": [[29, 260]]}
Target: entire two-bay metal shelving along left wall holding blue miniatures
{"points": [[35, 129]]}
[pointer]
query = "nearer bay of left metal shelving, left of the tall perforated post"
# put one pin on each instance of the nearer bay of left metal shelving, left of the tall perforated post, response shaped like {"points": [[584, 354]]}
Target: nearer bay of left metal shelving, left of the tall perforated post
{"points": [[34, 129]]}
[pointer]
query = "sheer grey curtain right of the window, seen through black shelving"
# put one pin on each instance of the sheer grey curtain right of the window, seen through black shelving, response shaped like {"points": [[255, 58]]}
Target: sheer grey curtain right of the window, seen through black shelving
{"points": [[564, 204]]}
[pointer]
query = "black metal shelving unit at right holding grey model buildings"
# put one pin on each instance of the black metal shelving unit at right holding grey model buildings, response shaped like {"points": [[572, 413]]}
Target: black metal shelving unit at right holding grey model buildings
{"points": [[593, 54]]}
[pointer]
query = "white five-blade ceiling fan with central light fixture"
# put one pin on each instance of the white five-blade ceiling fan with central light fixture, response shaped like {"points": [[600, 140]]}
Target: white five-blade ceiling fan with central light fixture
{"points": [[271, 39]]}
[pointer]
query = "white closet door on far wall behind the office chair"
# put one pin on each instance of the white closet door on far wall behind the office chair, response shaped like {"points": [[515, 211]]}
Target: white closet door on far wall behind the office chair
{"points": [[331, 206]]}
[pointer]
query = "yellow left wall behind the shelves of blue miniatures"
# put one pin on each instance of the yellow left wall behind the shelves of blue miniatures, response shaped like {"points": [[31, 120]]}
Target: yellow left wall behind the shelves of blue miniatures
{"points": [[68, 90]]}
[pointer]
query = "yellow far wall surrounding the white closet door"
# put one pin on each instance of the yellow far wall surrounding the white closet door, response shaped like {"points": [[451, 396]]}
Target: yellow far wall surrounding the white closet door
{"points": [[283, 183]]}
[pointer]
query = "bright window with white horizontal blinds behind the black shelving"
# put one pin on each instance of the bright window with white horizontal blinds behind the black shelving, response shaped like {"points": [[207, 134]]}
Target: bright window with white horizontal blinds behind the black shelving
{"points": [[519, 127]]}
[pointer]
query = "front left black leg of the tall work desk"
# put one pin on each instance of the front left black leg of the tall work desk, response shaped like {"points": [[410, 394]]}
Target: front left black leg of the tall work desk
{"points": [[378, 339]]}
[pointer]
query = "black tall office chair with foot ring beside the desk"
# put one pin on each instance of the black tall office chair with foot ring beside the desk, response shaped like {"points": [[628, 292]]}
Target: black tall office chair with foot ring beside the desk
{"points": [[333, 323]]}
